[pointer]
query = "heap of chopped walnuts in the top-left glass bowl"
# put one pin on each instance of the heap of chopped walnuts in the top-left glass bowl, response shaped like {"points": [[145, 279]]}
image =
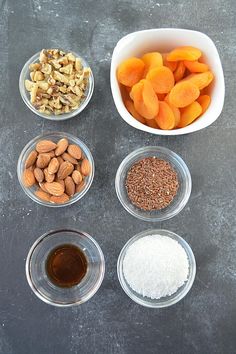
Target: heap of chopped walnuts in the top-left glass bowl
{"points": [[58, 82]]}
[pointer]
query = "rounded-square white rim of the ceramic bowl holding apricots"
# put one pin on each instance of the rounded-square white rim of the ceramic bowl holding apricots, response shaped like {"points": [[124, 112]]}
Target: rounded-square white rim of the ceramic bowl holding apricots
{"points": [[127, 117]]}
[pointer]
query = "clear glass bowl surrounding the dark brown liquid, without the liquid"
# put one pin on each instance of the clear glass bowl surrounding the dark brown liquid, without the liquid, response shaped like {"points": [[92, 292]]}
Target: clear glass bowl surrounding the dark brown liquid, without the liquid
{"points": [[36, 268]]}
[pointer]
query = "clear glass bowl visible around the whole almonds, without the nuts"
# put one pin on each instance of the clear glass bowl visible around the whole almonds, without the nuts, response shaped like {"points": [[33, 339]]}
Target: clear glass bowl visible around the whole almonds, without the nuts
{"points": [[54, 136]]}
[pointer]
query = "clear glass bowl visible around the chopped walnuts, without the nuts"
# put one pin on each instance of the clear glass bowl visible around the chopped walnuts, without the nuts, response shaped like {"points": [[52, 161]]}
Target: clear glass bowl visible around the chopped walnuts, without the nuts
{"points": [[25, 75]]}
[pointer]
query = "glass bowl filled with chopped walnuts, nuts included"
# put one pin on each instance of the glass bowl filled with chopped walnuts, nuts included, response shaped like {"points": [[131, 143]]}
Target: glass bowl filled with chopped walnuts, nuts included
{"points": [[55, 84]]}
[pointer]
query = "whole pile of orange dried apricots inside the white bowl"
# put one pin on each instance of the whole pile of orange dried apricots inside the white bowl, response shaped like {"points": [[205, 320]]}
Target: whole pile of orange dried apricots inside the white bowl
{"points": [[166, 91]]}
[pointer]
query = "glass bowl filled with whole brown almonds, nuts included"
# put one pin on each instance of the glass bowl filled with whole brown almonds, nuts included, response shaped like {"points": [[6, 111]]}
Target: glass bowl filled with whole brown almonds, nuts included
{"points": [[55, 169]]}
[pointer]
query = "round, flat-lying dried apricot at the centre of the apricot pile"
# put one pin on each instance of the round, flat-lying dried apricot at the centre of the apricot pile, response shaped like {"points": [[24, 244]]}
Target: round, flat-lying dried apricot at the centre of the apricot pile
{"points": [[161, 78]]}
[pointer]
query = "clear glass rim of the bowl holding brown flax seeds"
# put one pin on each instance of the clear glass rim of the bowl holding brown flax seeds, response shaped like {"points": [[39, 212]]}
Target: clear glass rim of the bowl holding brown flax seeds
{"points": [[168, 152]]}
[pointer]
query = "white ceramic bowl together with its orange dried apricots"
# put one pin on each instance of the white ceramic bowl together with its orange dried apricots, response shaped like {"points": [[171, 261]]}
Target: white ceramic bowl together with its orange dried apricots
{"points": [[167, 81]]}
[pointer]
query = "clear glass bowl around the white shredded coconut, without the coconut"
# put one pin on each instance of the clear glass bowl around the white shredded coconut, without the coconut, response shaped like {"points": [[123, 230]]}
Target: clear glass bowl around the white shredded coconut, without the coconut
{"points": [[167, 300]]}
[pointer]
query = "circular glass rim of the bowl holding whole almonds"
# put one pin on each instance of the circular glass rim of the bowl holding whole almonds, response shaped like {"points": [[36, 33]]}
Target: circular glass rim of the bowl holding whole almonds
{"points": [[70, 137]]}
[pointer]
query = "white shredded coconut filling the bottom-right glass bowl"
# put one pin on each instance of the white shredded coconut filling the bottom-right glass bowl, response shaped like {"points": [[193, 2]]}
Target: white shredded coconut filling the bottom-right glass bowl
{"points": [[156, 266]]}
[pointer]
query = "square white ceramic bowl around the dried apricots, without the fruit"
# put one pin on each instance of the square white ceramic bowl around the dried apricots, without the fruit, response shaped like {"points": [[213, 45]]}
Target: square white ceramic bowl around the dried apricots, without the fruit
{"points": [[163, 40]]}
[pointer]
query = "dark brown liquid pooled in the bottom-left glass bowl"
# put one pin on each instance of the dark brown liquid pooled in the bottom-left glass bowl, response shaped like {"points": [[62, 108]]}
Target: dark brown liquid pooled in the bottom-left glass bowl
{"points": [[66, 266]]}
